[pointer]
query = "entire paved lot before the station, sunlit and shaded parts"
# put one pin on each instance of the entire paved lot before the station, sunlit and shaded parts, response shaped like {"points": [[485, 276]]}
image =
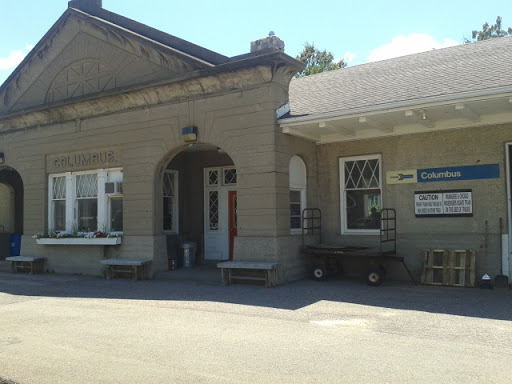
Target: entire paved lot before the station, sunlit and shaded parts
{"points": [[78, 329]]}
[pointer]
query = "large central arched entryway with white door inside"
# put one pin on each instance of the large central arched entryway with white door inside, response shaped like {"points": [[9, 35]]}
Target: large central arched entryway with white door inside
{"points": [[199, 202]]}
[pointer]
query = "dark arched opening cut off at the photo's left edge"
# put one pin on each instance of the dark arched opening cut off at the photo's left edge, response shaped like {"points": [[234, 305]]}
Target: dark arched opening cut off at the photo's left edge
{"points": [[11, 207]]}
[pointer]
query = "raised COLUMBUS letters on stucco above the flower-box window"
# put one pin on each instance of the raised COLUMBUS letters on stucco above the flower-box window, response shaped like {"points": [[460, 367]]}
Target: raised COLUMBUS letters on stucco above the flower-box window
{"points": [[77, 161]]}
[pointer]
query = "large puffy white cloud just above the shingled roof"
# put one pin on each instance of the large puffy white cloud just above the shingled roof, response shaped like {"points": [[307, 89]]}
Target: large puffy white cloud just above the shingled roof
{"points": [[406, 45]]}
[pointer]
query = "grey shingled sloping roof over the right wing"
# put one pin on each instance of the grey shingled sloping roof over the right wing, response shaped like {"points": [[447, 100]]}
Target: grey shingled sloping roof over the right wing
{"points": [[438, 73]]}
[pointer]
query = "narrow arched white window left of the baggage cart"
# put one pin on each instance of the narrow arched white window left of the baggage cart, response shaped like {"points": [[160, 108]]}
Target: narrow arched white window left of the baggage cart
{"points": [[298, 184]]}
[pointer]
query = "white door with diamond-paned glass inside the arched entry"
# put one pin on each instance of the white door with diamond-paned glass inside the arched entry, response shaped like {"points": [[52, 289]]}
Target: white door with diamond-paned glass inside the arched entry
{"points": [[218, 182]]}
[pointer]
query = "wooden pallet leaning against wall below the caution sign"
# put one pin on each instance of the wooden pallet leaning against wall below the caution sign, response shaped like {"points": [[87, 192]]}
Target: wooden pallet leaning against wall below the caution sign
{"points": [[449, 267]]}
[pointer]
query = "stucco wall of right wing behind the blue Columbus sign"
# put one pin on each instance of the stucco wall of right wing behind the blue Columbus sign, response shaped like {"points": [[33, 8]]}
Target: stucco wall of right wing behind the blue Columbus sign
{"points": [[472, 146]]}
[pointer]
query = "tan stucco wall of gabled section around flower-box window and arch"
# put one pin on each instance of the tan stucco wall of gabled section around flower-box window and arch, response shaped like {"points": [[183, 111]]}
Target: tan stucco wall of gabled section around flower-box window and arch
{"points": [[241, 123]]}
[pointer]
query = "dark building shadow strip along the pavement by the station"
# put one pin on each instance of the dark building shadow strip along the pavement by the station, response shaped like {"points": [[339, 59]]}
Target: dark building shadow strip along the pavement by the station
{"points": [[205, 285]]}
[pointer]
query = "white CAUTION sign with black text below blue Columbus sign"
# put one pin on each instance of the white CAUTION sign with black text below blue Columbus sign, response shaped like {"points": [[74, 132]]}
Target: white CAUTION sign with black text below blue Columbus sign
{"points": [[444, 203]]}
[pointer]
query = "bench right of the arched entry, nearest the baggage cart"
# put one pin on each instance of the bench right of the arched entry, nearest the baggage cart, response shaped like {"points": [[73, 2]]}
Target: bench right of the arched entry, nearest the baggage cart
{"points": [[243, 270]]}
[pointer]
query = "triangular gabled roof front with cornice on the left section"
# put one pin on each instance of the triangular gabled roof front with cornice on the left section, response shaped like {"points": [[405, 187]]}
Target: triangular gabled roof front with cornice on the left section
{"points": [[90, 52]]}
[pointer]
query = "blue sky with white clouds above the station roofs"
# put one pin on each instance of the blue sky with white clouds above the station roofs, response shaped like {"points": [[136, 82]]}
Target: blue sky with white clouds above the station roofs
{"points": [[360, 31]]}
